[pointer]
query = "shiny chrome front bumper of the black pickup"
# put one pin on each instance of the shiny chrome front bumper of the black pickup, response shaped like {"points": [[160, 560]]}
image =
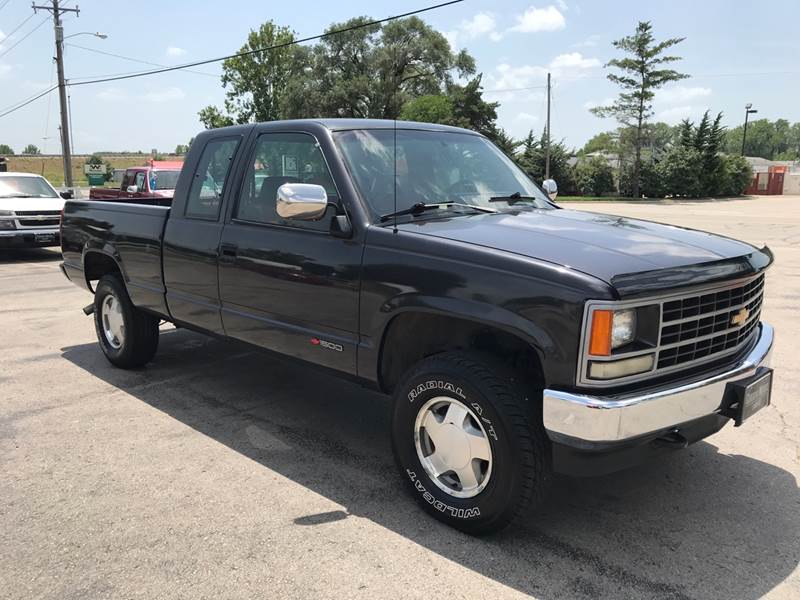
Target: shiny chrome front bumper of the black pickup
{"points": [[607, 419]]}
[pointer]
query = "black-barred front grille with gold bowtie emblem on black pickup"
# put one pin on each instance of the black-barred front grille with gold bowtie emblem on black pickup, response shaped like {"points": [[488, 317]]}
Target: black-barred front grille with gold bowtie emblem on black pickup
{"points": [[705, 325]]}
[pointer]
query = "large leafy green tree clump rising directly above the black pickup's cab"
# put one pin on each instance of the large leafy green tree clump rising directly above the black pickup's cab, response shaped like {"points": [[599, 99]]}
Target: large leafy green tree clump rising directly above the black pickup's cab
{"points": [[369, 72]]}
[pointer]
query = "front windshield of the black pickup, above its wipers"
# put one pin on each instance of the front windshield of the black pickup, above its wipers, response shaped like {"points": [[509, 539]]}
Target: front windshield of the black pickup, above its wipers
{"points": [[433, 167]]}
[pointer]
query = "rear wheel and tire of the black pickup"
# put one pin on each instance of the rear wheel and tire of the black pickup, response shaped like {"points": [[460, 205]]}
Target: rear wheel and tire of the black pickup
{"points": [[134, 343]]}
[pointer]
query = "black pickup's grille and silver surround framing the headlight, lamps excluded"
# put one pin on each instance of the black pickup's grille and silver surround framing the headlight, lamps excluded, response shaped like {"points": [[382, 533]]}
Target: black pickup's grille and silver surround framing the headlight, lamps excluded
{"points": [[685, 340]]}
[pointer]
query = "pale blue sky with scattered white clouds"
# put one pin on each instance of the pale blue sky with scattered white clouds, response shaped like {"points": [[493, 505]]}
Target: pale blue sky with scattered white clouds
{"points": [[736, 52]]}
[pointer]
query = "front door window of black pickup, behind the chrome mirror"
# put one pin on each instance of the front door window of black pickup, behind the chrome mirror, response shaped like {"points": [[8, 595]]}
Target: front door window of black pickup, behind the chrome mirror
{"points": [[284, 158]]}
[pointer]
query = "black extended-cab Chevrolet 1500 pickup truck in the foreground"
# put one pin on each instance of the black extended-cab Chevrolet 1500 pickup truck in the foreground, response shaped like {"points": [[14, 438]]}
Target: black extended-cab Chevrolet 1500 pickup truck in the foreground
{"points": [[517, 338]]}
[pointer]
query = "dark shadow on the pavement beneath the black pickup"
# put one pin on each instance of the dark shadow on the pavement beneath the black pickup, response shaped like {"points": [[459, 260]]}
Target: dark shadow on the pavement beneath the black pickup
{"points": [[696, 525]]}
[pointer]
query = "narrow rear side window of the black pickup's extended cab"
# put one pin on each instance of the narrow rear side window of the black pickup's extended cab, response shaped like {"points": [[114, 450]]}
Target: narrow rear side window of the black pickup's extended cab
{"points": [[208, 184]]}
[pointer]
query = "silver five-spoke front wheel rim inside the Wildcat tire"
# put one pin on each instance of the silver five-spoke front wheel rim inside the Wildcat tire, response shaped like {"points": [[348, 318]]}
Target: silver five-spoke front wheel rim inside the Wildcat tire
{"points": [[453, 447]]}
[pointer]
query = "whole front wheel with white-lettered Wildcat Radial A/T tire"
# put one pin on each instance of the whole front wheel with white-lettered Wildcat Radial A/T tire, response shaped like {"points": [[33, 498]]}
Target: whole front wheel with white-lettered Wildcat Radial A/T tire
{"points": [[517, 474]]}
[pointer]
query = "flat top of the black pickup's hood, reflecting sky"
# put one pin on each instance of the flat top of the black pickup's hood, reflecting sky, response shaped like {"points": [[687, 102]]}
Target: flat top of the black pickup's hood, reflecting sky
{"points": [[604, 246]]}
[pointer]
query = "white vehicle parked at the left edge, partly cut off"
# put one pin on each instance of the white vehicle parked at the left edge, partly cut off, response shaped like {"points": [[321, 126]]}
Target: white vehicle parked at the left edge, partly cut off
{"points": [[30, 211]]}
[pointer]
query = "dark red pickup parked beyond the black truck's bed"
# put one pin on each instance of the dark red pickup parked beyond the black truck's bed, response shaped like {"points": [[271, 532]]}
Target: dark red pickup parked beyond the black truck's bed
{"points": [[154, 184]]}
